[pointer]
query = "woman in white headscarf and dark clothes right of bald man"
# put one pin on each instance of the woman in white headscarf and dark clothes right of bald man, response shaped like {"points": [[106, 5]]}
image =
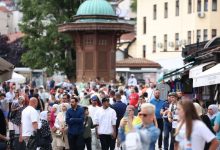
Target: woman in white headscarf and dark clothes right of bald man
{"points": [[45, 137]]}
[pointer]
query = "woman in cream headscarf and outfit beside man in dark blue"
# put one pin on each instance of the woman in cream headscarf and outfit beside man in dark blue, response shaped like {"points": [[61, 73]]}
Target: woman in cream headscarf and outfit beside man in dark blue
{"points": [[61, 128]]}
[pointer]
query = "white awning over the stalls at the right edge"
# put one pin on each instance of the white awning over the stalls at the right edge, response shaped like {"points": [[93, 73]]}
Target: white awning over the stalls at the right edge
{"points": [[208, 77]]}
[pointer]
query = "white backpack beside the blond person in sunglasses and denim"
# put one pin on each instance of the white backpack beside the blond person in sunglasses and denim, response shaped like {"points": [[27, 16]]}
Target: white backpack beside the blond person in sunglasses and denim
{"points": [[133, 141]]}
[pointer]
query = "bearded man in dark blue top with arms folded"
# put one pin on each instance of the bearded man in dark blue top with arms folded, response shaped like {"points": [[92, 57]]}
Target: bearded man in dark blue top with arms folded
{"points": [[74, 120]]}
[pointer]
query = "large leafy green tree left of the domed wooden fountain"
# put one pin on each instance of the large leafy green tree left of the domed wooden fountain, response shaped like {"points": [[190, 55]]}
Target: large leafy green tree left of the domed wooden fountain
{"points": [[47, 48]]}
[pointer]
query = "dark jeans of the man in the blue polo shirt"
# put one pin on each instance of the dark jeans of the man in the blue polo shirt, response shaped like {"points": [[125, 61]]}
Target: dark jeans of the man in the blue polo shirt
{"points": [[167, 131]]}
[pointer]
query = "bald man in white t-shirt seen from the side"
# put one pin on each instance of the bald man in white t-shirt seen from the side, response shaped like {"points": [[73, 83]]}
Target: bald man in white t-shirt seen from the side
{"points": [[29, 120]]}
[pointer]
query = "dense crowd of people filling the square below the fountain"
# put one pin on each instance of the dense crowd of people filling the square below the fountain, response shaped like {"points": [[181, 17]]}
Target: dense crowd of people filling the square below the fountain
{"points": [[97, 116]]}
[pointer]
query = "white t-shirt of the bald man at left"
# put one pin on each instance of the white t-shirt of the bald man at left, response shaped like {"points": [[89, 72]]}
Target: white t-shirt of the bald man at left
{"points": [[29, 115]]}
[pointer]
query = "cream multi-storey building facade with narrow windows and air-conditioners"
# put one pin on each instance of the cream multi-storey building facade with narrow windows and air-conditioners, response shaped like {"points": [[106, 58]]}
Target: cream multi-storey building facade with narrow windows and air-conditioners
{"points": [[164, 27]]}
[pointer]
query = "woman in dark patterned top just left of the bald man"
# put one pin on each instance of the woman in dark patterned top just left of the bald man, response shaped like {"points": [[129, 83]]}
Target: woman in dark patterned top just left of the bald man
{"points": [[16, 110]]}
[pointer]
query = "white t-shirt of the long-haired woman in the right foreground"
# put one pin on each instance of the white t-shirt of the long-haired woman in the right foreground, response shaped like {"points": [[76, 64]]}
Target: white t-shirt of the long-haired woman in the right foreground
{"points": [[200, 135]]}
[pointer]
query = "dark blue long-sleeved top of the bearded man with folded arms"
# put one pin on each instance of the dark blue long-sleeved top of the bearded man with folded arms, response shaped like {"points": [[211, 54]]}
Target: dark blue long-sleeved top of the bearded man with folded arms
{"points": [[74, 120]]}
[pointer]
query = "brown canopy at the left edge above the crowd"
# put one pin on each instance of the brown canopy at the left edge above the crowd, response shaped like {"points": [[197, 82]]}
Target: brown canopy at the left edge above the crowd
{"points": [[6, 70]]}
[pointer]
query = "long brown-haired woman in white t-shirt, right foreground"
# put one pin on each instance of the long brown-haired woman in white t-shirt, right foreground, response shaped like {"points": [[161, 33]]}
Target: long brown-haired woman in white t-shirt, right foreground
{"points": [[192, 133]]}
